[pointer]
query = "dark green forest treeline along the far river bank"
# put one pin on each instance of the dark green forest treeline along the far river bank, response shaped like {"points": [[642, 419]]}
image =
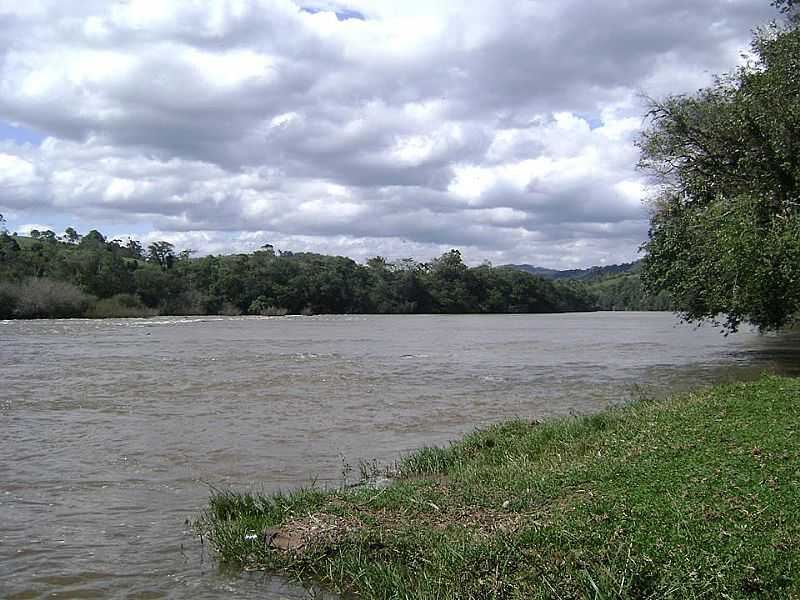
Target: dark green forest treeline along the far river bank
{"points": [[46, 275]]}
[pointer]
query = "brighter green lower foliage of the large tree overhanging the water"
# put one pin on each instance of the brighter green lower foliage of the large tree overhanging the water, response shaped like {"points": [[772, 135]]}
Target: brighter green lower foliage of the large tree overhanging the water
{"points": [[748, 271]]}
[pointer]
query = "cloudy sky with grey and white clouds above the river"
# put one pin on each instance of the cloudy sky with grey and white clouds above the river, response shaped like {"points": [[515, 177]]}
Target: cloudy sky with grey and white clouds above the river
{"points": [[505, 129]]}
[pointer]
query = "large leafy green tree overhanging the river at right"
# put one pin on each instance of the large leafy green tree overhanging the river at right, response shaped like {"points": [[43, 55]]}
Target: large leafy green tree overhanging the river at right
{"points": [[725, 230]]}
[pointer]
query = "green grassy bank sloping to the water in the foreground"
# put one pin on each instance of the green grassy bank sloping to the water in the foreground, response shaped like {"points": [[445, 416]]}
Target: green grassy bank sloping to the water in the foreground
{"points": [[695, 496]]}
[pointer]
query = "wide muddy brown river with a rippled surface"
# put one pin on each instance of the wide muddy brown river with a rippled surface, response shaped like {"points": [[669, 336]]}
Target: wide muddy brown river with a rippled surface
{"points": [[114, 430]]}
